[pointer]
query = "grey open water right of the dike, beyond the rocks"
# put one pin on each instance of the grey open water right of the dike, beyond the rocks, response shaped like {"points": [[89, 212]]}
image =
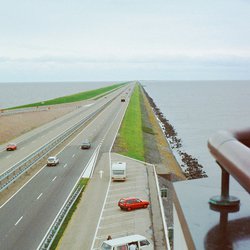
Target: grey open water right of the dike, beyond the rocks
{"points": [[198, 109]]}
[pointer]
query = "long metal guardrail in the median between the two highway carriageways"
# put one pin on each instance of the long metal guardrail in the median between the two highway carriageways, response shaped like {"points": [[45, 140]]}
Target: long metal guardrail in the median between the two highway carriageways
{"points": [[13, 173]]}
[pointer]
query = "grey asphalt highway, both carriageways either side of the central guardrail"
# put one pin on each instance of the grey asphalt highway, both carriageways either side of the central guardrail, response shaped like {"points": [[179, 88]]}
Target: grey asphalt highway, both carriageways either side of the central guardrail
{"points": [[27, 216]]}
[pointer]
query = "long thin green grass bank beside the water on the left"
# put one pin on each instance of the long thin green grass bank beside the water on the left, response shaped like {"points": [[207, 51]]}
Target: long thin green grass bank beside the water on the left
{"points": [[73, 98]]}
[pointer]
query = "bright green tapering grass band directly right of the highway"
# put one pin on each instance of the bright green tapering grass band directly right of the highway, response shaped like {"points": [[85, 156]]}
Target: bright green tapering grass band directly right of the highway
{"points": [[130, 140]]}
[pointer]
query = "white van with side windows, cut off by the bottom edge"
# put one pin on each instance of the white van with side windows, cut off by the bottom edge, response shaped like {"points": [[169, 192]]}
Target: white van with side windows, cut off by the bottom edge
{"points": [[123, 243]]}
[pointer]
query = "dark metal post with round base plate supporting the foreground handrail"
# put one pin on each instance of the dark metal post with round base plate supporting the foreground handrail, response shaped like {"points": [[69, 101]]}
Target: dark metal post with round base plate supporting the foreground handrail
{"points": [[224, 200]]}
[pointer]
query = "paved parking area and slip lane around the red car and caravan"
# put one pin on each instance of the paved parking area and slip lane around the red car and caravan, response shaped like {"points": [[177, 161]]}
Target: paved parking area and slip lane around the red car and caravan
{"points": [[100, 201]]}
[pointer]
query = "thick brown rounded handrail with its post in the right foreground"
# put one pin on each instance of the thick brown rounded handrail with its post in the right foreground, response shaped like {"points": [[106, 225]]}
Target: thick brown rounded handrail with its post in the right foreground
{"points": [[231, 151]]}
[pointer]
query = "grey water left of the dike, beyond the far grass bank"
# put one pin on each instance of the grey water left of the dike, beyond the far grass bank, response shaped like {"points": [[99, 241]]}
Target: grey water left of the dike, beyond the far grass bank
{"points": [[15, 94]]}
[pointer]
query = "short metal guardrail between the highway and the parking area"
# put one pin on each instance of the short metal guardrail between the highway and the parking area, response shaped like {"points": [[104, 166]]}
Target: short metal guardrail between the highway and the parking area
{"points": [[49, 238]]}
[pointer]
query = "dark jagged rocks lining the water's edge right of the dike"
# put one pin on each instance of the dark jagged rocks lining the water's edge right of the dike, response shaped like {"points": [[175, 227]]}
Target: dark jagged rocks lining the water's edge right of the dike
{"points": [[190, 165]]}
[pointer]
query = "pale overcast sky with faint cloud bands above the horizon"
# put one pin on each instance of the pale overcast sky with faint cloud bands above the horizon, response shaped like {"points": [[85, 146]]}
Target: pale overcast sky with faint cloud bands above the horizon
{"points": [[63, 40]]}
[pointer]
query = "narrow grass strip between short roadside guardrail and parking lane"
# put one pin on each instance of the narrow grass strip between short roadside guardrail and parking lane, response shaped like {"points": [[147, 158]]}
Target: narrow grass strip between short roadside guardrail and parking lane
{"points": [[82, 183]]}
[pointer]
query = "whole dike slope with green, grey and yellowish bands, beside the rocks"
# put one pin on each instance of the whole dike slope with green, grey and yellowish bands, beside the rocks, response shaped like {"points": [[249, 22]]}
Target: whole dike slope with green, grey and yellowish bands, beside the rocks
{"points": [[141, 137]]}
